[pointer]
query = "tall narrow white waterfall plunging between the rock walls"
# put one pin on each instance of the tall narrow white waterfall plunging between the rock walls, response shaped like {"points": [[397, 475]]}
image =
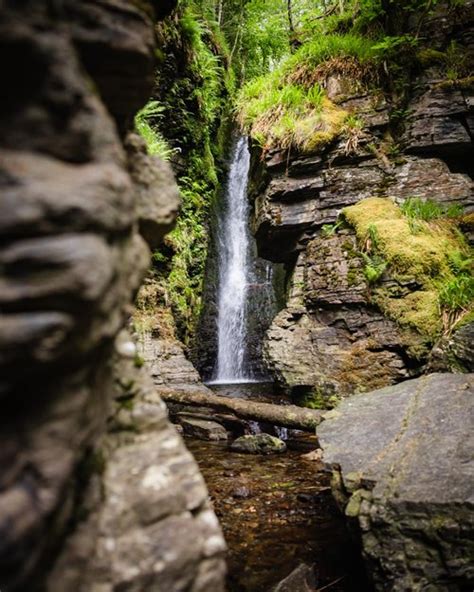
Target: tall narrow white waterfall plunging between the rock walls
{"points": [[234, 271]]}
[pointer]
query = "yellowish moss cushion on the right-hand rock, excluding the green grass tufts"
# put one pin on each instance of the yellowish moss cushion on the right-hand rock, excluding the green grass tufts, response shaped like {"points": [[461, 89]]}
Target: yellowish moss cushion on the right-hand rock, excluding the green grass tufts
{"points": [[424, 258]]}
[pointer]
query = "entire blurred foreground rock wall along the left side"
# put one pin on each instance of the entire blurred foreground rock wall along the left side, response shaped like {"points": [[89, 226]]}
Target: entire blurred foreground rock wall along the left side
{"points": [[72, 260]]}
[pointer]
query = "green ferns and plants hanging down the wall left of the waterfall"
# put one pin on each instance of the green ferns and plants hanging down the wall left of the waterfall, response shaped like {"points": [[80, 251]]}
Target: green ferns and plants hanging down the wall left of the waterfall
{"points": [[188, 113]]}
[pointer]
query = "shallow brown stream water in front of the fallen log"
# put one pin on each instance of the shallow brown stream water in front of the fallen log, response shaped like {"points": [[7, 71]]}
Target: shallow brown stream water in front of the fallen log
{"points": [[277, 512]]}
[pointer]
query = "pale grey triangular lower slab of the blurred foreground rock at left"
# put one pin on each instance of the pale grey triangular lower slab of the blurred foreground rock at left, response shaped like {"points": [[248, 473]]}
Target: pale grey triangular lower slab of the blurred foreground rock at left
{"points": [[148, 524]]}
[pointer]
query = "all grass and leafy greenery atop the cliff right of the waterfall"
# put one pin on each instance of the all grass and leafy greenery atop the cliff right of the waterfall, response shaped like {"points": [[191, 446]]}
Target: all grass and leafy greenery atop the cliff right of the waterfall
{"points": [[365, 42]]}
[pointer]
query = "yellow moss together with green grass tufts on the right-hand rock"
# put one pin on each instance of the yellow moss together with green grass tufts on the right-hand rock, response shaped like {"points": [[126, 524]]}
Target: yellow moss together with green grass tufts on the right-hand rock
{"points": [[435, 260]]}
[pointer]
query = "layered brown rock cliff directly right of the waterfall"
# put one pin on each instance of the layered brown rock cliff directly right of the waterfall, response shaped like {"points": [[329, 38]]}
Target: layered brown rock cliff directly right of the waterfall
{"points": [[333, 336]]}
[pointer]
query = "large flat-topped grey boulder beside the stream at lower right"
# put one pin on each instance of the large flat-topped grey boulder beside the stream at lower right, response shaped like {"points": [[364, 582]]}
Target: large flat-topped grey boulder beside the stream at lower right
{"points": [[403, 473]]}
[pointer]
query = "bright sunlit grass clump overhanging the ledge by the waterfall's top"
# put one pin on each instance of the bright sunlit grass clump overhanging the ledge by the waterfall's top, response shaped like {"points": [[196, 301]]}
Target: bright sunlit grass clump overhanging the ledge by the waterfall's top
{"points": [[288, 108]]}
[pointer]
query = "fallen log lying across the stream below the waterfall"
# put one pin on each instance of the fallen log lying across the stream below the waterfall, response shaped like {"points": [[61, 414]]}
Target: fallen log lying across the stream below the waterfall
{"points": [[289, 416]]}
